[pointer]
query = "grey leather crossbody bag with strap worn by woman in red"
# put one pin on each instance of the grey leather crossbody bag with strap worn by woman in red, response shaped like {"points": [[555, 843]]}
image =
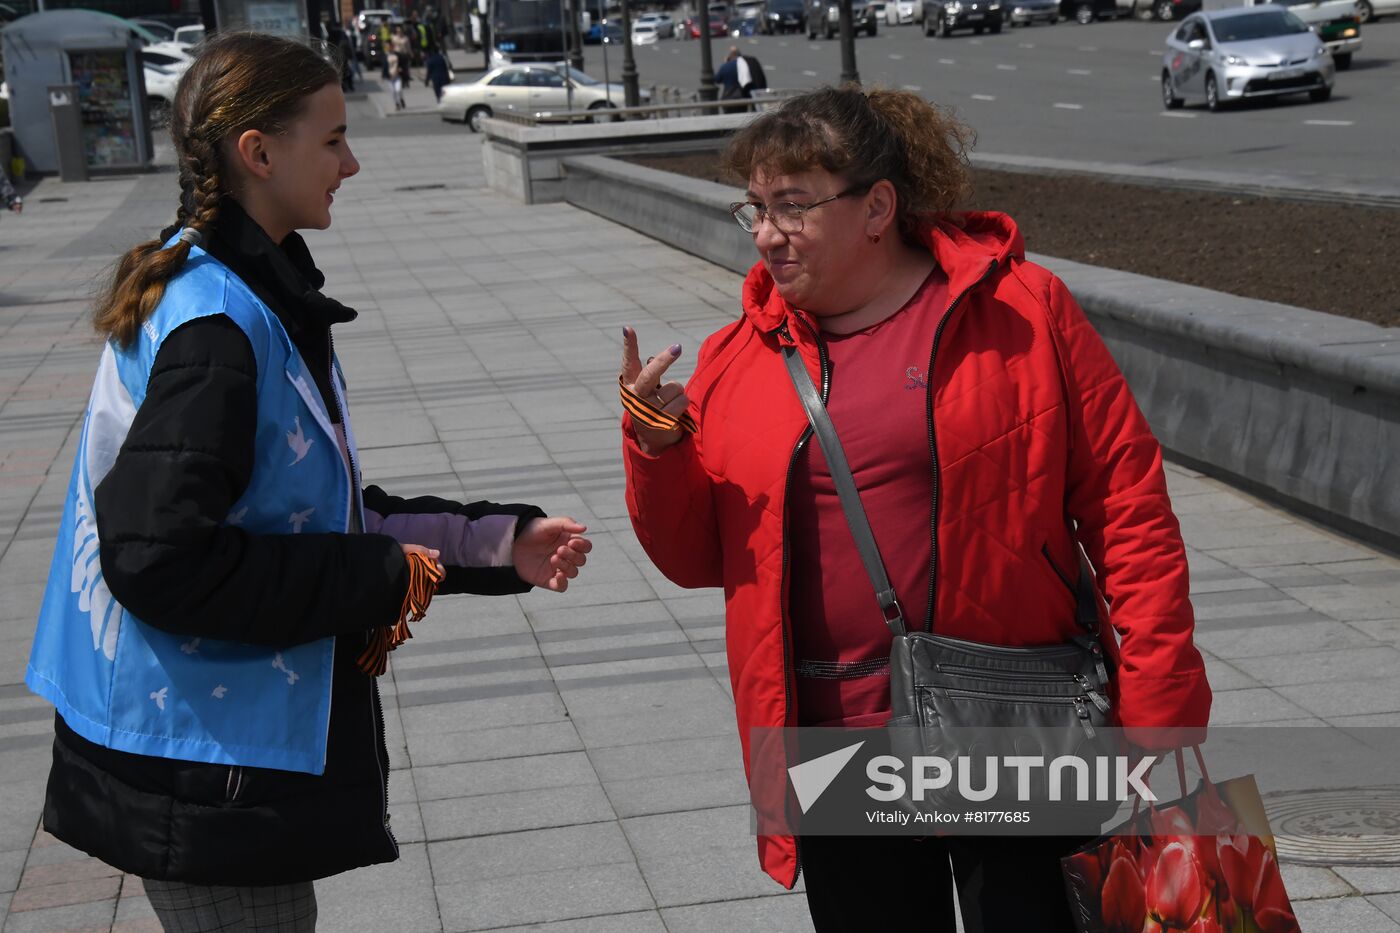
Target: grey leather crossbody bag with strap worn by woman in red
{"points": [[954, 691]]}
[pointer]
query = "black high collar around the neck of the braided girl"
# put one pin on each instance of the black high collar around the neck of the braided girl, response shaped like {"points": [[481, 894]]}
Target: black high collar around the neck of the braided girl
{"points": [[285, 277]]}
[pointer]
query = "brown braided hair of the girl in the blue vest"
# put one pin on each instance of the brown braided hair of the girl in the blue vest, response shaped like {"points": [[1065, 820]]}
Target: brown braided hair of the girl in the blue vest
{"points": [[240, 82]]}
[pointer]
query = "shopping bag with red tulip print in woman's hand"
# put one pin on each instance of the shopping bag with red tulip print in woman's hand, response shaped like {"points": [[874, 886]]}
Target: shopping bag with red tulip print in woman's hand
{"points": [[1205, 864]]}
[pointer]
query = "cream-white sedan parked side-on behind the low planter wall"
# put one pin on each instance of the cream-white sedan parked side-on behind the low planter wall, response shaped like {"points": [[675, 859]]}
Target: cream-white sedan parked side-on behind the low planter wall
{"points": [[524, 89]]}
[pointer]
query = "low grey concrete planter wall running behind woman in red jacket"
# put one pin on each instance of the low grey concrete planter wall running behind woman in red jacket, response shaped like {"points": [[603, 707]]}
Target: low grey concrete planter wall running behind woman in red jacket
{"points": [[1298, 406]]}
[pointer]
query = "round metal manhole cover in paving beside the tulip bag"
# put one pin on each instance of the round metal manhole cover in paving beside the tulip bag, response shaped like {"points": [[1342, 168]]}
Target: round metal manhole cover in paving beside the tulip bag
{"points": [[1359, 827]]}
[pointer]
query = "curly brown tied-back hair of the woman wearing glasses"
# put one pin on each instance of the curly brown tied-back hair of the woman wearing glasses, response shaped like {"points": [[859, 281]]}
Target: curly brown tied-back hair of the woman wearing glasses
{"points": [[864, 137]]}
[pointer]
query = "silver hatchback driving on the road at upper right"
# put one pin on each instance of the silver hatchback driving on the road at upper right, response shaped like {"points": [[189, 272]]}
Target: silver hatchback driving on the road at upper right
{"points": [[1230, 55]]}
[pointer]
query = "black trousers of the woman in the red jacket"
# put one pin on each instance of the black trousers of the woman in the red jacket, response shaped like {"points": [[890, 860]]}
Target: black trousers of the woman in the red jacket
{"points": [[905, 885]]}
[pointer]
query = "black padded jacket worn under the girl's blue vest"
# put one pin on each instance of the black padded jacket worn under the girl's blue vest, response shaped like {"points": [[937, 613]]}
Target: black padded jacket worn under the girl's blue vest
{"points": [[170, 562]]}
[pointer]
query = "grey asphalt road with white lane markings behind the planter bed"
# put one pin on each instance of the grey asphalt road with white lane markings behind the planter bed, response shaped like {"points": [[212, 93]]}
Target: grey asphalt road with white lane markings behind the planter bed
{"points": [[1091, 93]]}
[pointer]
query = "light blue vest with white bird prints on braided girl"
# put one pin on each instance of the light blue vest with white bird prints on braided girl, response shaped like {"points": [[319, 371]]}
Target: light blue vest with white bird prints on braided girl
{"points": [[127, 686]]}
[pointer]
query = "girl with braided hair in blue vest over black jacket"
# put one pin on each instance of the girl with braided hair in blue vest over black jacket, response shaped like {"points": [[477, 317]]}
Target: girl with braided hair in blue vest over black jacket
{"points": [[222, 585]]}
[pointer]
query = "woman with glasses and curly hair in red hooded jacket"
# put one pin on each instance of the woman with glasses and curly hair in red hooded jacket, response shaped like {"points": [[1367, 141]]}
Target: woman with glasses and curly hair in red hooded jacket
{"points": [[990, 435]]}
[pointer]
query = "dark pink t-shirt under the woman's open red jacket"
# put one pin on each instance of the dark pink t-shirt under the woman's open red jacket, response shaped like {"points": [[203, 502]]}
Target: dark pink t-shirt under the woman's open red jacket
{"points": [[877, 403]]}
